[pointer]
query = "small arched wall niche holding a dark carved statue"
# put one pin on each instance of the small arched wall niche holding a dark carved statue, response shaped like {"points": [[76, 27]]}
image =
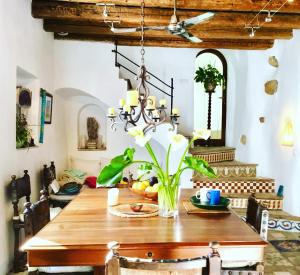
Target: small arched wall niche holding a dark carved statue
{"points": [[86, 141]]}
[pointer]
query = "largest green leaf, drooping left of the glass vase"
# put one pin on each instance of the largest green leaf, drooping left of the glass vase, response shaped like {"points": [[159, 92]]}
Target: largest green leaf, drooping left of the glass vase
{"points": [[112, 173]]}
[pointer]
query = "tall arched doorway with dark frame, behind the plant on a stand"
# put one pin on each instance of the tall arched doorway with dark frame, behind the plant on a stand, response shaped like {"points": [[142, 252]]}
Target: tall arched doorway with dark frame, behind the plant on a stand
{"points": [[218, 100]]}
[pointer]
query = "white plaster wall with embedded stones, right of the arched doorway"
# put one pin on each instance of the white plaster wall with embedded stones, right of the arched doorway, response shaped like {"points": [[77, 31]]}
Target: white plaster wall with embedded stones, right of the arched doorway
{"points": [[263, 140]]}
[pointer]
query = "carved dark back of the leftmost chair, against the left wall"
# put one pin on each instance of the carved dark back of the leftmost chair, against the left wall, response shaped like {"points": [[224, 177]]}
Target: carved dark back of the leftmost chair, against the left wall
{"points": [[19, 188]]}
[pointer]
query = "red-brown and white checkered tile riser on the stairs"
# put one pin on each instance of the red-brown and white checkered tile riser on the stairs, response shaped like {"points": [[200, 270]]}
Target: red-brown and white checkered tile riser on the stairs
{"points": [[238, 186]]}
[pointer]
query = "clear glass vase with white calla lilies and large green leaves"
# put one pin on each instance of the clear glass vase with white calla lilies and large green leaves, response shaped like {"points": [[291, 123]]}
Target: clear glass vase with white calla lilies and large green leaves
{"points": [[168, 187]]}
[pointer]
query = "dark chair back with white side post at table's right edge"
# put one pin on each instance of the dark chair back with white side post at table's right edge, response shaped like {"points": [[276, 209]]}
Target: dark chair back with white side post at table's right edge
{"points": [[257, 216]]}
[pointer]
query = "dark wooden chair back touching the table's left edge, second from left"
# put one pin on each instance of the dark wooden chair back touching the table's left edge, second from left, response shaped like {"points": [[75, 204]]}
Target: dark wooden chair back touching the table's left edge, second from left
{"points": [[36, 215]]}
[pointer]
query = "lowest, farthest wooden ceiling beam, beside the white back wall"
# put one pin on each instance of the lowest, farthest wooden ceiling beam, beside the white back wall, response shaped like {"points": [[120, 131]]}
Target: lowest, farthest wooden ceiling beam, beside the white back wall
{"points": [[214, 44]]}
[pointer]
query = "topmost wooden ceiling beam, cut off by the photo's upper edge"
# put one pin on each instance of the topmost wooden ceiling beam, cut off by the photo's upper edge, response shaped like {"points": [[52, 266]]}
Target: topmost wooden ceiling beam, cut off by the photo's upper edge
{"points": [[224, 5]]}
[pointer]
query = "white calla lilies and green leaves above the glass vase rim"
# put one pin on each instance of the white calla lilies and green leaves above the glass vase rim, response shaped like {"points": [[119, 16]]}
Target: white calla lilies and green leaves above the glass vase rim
{"points": [[113, 172]]}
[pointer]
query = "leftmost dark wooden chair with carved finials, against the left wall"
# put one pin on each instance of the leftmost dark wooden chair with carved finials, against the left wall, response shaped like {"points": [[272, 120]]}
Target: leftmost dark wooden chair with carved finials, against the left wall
{"points": [[19, 188]]}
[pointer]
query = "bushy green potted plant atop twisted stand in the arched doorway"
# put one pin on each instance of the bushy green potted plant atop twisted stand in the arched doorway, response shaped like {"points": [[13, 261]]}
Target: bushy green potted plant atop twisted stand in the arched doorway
{"points": [[210, 77]]}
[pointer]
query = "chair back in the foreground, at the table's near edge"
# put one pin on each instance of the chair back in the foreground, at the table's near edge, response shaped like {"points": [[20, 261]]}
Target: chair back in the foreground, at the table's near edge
{"points": [[118, 265]]}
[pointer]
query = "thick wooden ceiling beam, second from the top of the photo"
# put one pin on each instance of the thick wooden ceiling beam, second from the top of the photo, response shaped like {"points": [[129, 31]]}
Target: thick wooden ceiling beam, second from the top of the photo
{"points": [[129, 16]]}
